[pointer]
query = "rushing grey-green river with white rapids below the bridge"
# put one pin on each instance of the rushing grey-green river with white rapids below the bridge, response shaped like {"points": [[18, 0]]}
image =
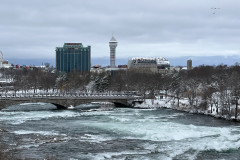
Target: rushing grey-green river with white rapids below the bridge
{"points": [[35, 131]]}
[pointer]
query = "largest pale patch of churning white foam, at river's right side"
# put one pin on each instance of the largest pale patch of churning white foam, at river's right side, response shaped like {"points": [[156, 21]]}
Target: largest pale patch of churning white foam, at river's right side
{"points": [[178, 138]]}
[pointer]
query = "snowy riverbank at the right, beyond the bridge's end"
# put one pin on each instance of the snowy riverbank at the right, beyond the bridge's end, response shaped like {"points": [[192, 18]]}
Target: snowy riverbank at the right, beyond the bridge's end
{"points": [[183, 106]]}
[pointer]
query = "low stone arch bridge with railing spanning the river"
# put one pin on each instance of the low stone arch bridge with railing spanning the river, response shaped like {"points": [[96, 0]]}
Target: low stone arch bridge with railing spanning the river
{"points": [[63, 101]]}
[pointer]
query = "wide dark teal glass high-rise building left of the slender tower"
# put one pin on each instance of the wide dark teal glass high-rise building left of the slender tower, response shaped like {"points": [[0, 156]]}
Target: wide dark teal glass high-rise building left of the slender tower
{"points": [[73, 57]]}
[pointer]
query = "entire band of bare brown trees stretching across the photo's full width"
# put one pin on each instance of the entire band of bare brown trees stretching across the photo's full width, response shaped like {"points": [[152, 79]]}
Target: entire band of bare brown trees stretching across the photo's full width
{"points": [[202, 86]]}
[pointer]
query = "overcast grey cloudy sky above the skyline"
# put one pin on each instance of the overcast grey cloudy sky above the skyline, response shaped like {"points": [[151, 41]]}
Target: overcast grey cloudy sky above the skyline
{"points": [[156, 28]]}
